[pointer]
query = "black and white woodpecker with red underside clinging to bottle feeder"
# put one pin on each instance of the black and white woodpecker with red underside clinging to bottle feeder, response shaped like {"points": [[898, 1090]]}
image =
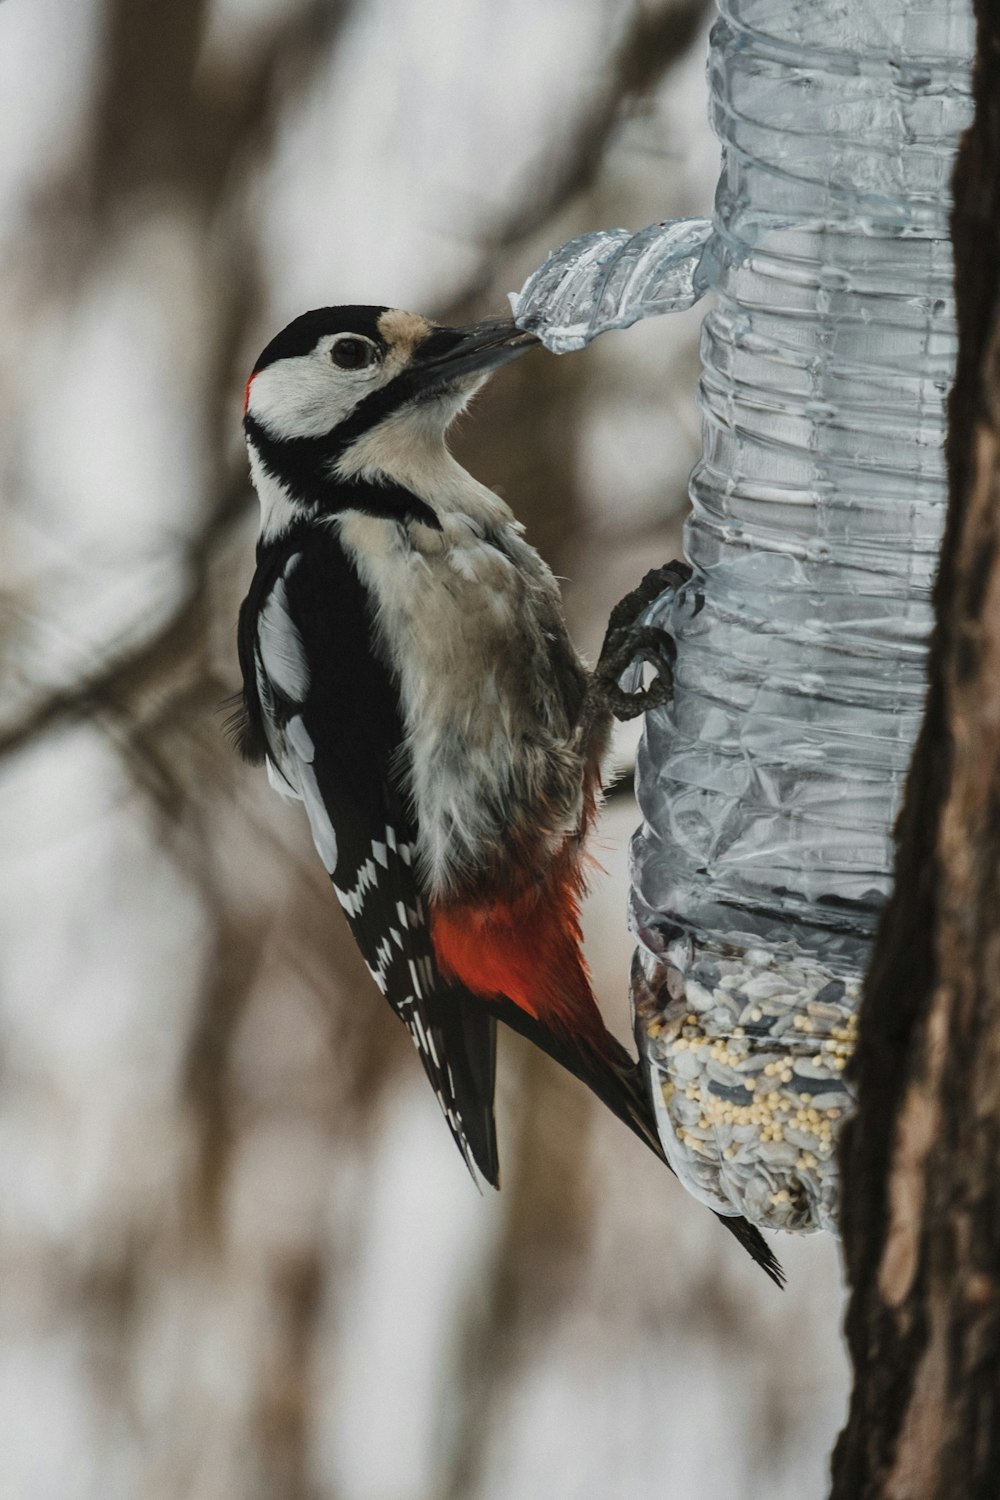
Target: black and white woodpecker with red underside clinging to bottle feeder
{"points": [[409, 677]]}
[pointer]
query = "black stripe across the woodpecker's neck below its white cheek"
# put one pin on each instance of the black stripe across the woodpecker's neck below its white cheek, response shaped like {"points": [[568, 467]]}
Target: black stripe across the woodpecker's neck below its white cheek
{"points": [[304, 467]]}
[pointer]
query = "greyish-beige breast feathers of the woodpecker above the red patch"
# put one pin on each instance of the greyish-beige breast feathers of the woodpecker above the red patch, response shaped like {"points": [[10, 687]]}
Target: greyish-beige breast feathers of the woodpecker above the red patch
{"points": [[472, 622]]}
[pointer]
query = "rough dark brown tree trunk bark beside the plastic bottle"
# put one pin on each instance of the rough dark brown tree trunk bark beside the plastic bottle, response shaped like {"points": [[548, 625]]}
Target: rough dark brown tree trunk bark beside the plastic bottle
{"points": [[921, 1160]]}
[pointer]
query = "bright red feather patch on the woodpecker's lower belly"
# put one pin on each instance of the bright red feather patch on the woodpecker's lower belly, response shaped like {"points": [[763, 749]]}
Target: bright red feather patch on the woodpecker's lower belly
{"points": [[527, 950]]}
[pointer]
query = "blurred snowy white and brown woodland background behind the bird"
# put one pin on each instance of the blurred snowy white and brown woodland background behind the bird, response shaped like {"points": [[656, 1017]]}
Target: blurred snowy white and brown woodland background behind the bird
{"points": [[239, 1253]]}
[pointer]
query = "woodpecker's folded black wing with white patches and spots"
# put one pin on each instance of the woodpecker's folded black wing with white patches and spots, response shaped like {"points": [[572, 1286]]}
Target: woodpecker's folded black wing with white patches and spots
{"points": [[322, 709]]}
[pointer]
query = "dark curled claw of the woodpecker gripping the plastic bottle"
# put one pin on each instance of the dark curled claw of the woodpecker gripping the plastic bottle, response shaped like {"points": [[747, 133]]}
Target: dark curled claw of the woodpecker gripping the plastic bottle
{"points": [[626, 641]]}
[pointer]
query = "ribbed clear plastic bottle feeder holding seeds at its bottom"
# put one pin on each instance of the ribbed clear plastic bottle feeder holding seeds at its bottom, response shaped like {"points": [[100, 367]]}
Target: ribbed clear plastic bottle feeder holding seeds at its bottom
{"points": [[771, 785]]}
